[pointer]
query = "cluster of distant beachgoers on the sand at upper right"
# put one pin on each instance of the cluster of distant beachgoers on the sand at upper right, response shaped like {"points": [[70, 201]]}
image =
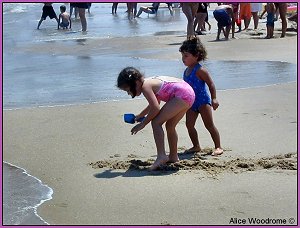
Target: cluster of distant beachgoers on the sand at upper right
{"points": [[230, 15]]}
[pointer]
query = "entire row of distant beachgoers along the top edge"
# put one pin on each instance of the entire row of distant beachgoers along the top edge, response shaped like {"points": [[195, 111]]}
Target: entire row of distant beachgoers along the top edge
{"points": [[228, 15]]}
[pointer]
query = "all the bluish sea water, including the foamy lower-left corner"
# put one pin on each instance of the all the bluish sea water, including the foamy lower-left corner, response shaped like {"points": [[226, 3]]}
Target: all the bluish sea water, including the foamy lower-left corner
{"points": [[31, 80]]}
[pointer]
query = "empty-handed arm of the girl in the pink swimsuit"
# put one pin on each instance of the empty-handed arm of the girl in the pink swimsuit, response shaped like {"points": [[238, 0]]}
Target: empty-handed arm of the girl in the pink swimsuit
{"points": [[153, 108]]}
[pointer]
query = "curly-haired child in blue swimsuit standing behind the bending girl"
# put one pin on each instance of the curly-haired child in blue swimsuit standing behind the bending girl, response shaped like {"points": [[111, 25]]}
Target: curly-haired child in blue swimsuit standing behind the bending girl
{"points": [[198, 77]]}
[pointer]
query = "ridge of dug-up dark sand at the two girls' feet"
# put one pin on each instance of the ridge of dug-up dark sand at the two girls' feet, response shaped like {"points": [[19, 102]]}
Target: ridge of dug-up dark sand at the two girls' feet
{"points": [[199, 162]]}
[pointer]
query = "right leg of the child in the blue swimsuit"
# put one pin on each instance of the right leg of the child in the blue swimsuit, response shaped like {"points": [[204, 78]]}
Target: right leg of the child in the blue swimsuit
{"points": [[206, 114]]}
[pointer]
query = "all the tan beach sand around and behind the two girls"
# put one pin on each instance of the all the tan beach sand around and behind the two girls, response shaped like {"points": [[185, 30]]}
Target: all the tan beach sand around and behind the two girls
{"points": [[97, 170]]}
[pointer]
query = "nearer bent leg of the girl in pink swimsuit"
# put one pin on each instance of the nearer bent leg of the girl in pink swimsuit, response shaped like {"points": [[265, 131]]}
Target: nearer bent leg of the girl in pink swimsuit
{"points": [[168, 111]]}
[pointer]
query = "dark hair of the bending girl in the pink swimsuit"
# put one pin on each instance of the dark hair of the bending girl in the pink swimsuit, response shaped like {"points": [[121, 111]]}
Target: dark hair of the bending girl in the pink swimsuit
{"points": [[128, 77]]}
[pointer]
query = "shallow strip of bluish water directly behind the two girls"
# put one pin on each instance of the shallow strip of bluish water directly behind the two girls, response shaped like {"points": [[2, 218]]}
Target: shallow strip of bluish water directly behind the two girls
{"points": [[27, 86]]}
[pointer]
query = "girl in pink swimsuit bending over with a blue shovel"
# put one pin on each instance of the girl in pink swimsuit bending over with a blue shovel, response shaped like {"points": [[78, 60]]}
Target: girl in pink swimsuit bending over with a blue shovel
{"points": [[178, 97]]}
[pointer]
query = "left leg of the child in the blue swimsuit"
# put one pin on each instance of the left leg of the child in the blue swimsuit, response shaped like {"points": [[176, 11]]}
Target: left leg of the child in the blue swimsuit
{"points": [[191, 118]]}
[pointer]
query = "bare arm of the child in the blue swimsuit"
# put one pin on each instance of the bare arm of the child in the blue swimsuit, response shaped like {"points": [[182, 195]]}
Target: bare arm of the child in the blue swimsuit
{"points": [[203, 74]]}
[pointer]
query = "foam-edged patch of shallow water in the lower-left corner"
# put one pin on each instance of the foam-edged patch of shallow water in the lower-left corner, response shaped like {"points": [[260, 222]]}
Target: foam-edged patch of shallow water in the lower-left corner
{"points": [[22, 194]]}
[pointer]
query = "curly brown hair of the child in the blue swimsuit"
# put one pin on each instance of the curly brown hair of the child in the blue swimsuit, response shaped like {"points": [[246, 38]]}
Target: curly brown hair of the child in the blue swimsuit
{"points": [[195, 47]]}
